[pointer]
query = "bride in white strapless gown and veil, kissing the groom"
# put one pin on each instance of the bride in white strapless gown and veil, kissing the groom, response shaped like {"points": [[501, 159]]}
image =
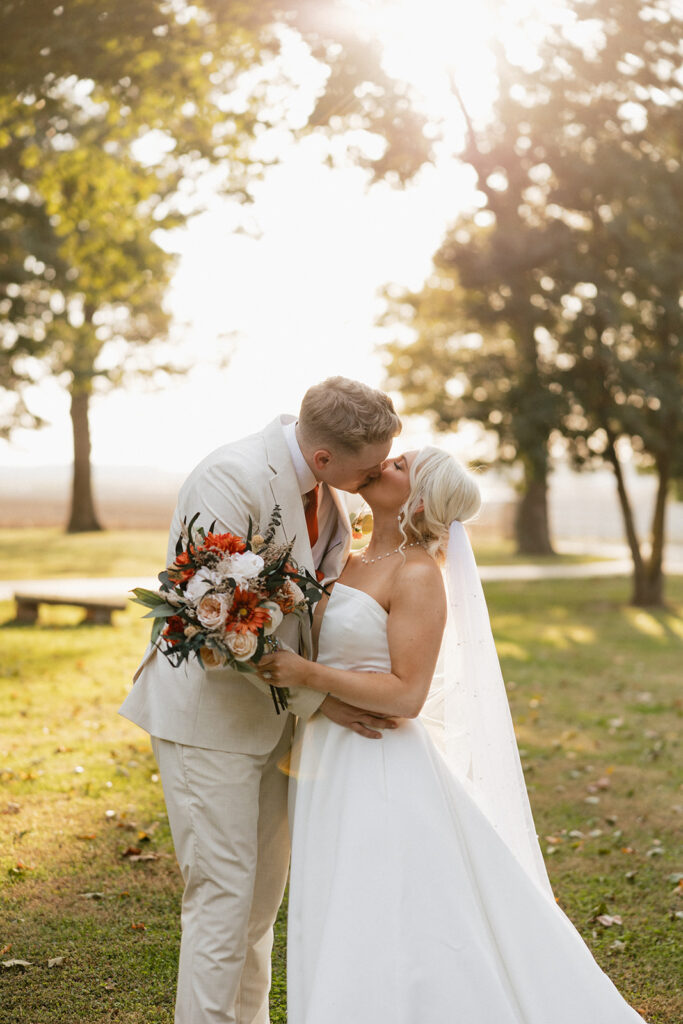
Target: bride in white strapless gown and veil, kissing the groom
{"points": [[418, 892]]}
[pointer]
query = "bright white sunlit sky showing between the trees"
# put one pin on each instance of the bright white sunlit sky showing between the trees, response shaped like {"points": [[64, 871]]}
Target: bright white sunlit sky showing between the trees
{"points": [[296, 302]]}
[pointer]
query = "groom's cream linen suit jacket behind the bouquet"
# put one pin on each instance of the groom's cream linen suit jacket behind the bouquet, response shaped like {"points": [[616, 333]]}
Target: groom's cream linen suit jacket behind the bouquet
{"points": [[222, 709]]}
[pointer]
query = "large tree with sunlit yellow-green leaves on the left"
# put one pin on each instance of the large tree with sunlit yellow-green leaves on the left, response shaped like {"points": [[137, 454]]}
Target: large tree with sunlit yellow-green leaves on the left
{"points": [[82, 203]]}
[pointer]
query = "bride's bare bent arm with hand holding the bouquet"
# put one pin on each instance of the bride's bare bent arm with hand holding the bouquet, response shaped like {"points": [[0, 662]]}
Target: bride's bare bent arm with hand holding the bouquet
{"points": [[415, 628]]}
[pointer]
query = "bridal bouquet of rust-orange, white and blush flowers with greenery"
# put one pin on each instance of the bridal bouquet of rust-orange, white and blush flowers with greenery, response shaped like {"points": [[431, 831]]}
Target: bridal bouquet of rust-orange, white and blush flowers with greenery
{"points": [[225, 596]]}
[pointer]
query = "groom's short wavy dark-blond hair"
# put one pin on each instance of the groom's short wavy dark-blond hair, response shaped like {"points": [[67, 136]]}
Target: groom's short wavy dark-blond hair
{"points": [[347, 415]]}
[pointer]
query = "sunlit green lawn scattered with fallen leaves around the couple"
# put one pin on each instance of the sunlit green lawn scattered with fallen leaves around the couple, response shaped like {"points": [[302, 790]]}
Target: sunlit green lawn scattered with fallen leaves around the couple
{"points": [[595, 693]]}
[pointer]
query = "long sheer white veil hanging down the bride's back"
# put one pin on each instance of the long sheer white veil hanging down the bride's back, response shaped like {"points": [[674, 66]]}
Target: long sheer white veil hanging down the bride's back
{"points": [[468, 716]]}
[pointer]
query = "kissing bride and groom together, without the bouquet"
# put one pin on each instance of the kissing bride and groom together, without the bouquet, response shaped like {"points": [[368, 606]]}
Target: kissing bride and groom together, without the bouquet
{"points": [[418, 893]]}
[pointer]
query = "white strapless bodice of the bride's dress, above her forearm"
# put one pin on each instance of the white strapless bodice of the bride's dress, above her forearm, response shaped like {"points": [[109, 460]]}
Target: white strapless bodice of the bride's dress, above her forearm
{"points": [[354, 632]]}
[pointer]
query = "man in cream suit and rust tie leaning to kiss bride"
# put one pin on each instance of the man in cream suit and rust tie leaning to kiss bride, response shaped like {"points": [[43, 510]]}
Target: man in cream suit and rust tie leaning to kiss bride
{"points": [[216, 735]]}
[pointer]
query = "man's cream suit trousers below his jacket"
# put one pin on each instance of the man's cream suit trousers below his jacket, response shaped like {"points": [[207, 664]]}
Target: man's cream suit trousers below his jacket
{"points": [[229, 821]]}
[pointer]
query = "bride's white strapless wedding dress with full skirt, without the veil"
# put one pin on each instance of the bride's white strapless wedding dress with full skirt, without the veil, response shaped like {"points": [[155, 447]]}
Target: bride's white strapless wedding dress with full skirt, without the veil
{"points": [[406, 906]]}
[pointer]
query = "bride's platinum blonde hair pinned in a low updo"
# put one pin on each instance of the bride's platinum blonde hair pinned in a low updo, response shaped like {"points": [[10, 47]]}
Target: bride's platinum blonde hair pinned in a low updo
{"points": [[442, 490]]}
